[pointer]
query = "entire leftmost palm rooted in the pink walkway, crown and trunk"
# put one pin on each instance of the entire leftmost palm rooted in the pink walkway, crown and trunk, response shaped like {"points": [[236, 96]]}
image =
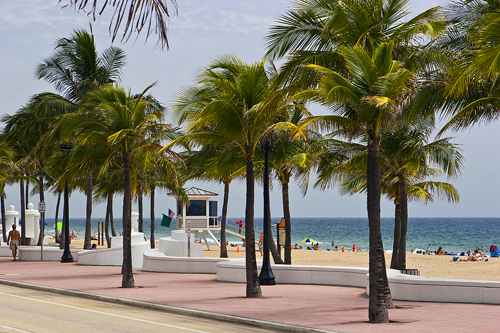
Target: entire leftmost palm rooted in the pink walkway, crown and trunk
{"points": [[123, 125]]}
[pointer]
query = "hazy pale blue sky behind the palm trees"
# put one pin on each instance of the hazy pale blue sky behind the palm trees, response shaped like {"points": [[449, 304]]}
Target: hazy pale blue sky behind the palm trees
{"points": [[202, 30]]}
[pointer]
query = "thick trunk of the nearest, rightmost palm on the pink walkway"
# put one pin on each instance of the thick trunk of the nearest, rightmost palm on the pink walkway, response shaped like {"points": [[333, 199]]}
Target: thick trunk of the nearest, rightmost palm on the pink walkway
{"points": [[377, 308]]}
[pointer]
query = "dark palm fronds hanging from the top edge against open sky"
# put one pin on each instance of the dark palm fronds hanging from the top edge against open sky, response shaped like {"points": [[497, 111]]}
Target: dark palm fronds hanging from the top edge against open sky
{"points": [[138, 14]]}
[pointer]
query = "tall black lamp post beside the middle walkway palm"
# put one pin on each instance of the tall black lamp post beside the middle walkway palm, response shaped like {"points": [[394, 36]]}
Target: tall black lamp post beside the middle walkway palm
{"points": [[266, 276]]}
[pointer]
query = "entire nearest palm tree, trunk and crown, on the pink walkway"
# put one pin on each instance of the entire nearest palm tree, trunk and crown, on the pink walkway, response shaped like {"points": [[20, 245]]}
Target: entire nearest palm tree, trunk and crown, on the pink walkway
{"points": [[365, 101]]}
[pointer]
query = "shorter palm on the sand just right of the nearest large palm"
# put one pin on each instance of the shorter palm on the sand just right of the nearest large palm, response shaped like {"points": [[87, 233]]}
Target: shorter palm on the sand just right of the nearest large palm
{"points": [[408, 155]]}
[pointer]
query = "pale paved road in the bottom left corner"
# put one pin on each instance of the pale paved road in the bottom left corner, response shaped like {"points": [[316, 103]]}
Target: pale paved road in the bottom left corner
{"points": [[24, 310]]}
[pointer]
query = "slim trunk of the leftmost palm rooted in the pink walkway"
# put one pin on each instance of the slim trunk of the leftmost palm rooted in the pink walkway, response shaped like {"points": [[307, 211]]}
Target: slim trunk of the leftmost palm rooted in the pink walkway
{"points": [[127, 277]]}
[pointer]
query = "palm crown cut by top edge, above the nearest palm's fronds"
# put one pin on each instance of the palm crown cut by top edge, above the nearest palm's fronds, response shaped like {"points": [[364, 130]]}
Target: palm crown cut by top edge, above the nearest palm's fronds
{"points": [[313, 31]]}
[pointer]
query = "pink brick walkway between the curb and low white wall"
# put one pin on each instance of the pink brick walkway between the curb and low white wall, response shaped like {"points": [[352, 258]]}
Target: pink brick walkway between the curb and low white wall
{"points": [[326, 307]]}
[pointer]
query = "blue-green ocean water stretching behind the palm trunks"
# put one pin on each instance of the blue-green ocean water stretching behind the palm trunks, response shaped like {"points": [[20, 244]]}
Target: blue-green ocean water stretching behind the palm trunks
{"points": [[453, 234]]}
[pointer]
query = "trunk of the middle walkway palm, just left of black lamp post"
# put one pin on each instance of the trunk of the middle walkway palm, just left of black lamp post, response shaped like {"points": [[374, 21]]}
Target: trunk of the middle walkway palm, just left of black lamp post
{"points": [[253, 287]]}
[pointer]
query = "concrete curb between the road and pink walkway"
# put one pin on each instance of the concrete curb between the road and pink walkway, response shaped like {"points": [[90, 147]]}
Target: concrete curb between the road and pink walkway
{"points": [[264, 324]]}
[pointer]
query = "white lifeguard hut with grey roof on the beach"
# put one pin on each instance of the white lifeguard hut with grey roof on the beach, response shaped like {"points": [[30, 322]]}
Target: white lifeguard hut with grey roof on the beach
{"points": [[201, 213]]}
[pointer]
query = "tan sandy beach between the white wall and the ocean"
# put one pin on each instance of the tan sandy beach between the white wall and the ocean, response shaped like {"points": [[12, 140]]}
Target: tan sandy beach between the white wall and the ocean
{"points": [[431, 266]]}
